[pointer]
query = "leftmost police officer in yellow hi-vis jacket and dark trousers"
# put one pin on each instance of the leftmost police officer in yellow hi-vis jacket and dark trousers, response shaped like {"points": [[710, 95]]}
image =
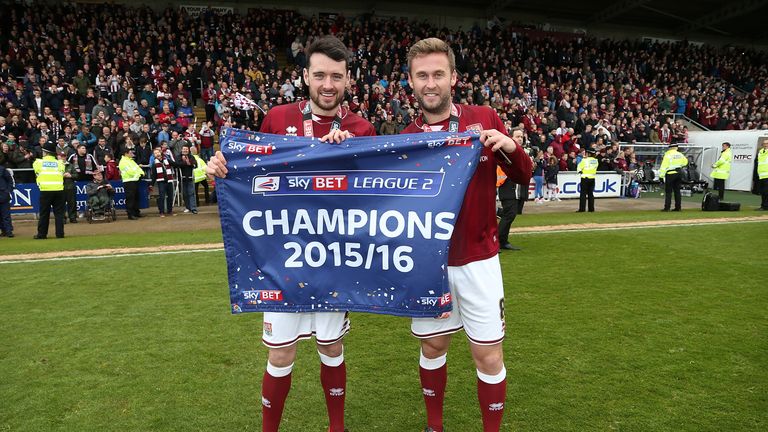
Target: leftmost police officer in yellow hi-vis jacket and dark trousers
{"points": [[50, 180]]}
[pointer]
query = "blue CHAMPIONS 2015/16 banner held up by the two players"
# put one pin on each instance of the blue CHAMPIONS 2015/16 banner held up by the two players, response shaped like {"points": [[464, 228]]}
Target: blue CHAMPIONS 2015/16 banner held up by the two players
{"points": [[363, 225]]}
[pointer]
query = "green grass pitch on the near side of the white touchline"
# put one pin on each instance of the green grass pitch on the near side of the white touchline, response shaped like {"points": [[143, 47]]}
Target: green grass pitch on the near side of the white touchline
{"points": [[635, 330]]}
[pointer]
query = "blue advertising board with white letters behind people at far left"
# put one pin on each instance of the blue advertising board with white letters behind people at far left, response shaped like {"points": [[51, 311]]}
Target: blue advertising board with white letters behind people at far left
{"points": [[26, 196]]}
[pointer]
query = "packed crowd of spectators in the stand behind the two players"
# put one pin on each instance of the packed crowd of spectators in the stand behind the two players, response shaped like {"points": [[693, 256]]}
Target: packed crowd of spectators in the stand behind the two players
{"points": [[108, 77]]}
